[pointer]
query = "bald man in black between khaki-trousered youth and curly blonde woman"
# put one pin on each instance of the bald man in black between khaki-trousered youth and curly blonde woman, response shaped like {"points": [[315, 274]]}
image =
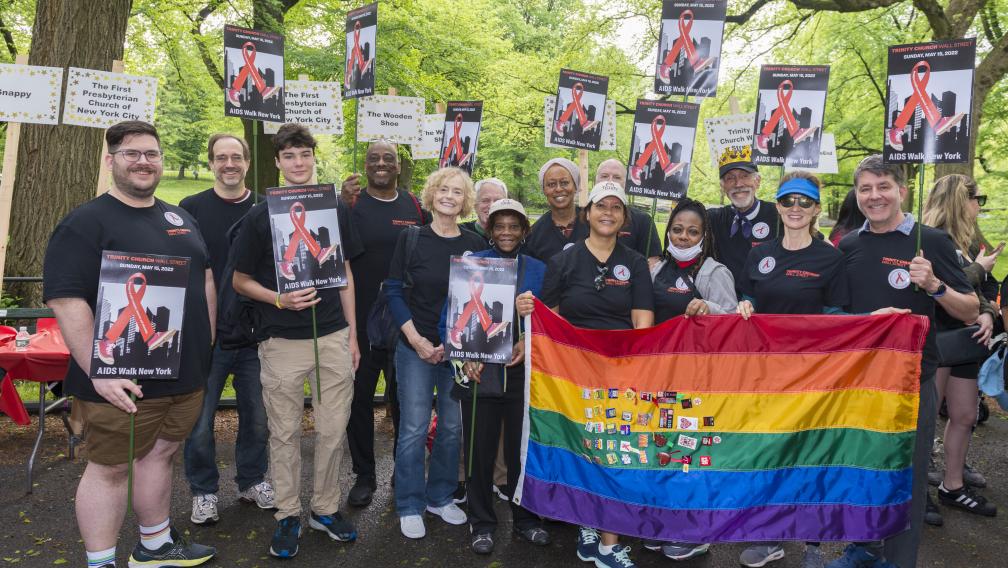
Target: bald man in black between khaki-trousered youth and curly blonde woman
{"points": [[381, 212]]}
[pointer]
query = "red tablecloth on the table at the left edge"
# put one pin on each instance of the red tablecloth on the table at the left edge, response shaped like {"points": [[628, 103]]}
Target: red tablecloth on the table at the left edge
{"points": [[46, 361]]}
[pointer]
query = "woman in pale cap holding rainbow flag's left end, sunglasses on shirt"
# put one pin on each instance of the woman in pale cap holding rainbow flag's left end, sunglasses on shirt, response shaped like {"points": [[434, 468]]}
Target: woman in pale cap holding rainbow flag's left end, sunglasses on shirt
{"points": [[600, 284]]}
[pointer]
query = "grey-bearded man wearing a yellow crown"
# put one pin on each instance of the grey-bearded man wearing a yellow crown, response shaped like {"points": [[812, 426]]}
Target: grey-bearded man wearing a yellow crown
{"points": [[747, 221]]}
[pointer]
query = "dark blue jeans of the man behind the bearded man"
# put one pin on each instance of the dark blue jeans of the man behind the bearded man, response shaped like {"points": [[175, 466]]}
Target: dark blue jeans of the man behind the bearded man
{"points": [[251, 452]]}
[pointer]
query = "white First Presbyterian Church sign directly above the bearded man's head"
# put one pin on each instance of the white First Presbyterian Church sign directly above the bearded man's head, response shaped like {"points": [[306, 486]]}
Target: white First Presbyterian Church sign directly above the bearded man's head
{"points": [[100, 99]]}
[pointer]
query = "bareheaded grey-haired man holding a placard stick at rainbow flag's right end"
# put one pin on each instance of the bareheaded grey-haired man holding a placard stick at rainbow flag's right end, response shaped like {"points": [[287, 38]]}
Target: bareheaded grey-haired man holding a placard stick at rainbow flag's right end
{"points": [[886, 268]]}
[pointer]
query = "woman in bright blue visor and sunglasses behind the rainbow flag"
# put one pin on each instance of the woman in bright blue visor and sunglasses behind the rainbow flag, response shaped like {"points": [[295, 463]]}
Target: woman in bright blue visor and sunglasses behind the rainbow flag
{"points": [[794, 274]]}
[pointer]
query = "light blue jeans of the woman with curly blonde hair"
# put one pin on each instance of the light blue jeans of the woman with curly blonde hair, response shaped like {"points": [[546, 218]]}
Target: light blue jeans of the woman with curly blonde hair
{"points": [[417, 383]]}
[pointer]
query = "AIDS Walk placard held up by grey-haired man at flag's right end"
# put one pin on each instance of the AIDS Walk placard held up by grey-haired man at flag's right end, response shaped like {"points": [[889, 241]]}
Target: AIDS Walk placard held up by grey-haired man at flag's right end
{"points": [[930, 102]]}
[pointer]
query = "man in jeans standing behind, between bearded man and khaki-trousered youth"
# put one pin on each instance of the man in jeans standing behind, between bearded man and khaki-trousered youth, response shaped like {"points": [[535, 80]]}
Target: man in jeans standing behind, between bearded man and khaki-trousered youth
{"points": [[217, 210]]}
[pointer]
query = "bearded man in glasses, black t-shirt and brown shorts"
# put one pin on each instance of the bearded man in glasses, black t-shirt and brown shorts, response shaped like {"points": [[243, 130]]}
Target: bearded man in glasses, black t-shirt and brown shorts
{"points": [[129, 218]]}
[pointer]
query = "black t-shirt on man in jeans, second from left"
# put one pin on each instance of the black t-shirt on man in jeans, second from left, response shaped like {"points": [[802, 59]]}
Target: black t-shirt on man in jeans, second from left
{"points": [[216, 216]]}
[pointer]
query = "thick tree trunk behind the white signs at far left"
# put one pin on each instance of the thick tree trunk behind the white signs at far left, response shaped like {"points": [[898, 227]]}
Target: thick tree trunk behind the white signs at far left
{"points": [[58, 165]]}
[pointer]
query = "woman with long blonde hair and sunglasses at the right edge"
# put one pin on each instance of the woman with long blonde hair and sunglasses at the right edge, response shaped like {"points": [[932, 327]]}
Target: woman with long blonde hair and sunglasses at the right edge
{"points": [[953, 206]]}
